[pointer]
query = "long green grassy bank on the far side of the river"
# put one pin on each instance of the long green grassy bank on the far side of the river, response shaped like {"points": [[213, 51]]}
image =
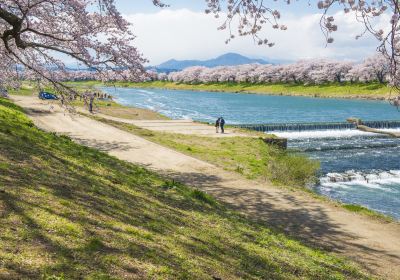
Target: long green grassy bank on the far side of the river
{"points": [[372, 91]]}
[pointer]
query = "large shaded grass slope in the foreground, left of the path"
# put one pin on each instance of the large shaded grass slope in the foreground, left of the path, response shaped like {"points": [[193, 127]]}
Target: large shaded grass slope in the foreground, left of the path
{"points": [[71, 212]]}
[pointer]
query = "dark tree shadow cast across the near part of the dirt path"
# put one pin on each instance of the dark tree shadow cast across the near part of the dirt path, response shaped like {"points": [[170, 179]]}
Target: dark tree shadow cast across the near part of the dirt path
{"points": [[308, 223]]}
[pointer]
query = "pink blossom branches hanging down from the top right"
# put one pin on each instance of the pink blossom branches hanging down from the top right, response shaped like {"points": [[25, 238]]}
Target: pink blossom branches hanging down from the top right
{"points": [[254, 15]]}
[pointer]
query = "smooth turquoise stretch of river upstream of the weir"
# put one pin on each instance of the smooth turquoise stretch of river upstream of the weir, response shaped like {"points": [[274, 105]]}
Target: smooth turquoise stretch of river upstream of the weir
{"points": [[251, 108]]}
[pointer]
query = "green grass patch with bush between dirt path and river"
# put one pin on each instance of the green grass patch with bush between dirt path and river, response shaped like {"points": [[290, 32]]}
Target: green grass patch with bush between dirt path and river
{"points": [[249, 156]]}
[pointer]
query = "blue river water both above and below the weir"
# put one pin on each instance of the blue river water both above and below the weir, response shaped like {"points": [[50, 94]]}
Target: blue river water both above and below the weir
{"points": [[356, 167]]}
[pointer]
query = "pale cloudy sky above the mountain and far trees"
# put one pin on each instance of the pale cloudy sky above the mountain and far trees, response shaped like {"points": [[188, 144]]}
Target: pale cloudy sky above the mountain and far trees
{"points": [[184, 31]]}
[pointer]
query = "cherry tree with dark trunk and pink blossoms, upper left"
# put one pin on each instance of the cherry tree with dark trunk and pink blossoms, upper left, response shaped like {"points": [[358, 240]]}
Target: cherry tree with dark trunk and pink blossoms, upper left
{"points": [[34, 33]]}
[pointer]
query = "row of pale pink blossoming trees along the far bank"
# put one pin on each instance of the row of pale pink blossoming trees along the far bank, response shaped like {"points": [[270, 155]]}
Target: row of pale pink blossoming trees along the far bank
{"points": [[373, 69]]}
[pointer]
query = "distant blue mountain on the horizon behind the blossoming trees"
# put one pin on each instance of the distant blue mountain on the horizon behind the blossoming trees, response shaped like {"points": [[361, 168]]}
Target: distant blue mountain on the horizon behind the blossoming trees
{"points": [[228, 59]]}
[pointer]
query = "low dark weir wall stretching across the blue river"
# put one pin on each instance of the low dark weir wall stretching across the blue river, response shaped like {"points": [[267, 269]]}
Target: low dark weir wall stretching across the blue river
{"points": [[318, 126]]}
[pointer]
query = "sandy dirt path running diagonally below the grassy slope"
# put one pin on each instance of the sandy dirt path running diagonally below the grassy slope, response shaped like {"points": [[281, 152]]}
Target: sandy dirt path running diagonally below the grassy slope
{"points": [[373, 244]]}
